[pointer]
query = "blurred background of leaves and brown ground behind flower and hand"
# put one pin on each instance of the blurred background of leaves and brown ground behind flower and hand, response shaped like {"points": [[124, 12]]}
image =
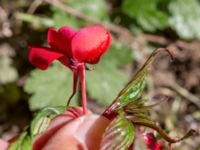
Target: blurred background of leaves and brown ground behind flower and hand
{"points": [[137, 27]]}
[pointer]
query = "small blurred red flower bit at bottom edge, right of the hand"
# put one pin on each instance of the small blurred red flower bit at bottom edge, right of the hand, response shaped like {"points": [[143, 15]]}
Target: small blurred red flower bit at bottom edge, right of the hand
{"points": [[151, 142]]}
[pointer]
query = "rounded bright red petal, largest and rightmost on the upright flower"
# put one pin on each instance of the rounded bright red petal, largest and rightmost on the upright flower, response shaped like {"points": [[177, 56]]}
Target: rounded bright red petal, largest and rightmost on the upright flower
{"points": [[90, 43]]}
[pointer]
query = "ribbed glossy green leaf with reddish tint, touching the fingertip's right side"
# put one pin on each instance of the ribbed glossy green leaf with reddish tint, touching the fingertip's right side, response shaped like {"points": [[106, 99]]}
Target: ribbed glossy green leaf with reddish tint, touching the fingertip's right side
{"points": [[119, 135]]}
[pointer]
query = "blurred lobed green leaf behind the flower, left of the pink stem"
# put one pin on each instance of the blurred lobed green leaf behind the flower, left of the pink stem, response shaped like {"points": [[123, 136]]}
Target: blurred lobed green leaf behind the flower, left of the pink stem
{"points": [[51, 87]]}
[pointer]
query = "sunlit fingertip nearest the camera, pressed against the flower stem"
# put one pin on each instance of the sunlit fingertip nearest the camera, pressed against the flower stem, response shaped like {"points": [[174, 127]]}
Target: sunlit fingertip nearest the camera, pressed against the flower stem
{"points": [[84, 133]]}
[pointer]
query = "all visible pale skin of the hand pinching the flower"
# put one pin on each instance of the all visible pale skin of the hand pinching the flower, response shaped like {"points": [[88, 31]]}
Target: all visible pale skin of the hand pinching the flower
{"points": [[67, 133]]}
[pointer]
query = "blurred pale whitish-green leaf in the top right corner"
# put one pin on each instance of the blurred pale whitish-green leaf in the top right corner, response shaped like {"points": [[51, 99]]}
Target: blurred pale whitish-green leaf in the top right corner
{"points": [[185, 18]]}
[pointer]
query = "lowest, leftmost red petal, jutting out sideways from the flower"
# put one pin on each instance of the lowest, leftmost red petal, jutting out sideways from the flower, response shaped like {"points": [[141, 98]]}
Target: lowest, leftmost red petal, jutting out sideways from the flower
{"points": [[41, 57]]}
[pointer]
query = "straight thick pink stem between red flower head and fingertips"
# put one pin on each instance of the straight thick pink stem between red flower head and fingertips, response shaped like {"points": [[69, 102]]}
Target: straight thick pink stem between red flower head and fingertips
{"points": [[83, 87]]}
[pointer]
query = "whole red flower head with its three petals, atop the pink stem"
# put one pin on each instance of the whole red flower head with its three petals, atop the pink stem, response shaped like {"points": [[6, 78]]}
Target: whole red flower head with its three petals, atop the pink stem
{"points": [[84, 46]]}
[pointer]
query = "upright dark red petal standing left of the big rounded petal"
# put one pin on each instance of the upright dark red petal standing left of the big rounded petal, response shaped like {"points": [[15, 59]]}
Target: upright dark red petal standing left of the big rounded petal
{"points": [[61, 40]]}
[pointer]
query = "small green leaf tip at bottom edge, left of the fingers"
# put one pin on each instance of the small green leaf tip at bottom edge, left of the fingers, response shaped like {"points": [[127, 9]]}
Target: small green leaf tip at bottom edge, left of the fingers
{"points": [[23, 143]]}
